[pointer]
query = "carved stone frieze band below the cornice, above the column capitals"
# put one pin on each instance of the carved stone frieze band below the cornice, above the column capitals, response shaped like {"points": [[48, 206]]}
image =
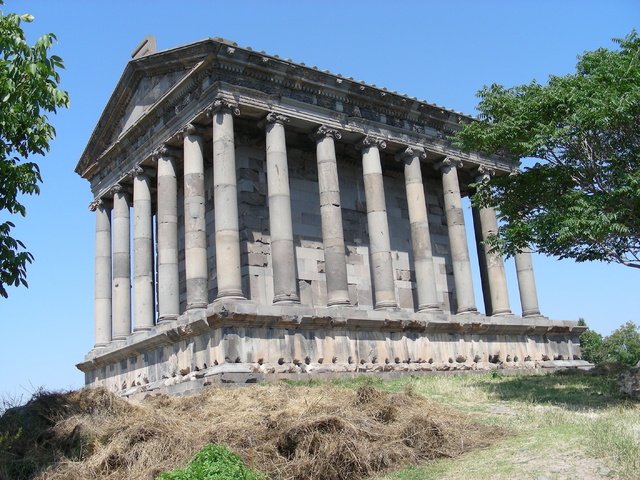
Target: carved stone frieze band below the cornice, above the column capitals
{"points": [[139, 142]]}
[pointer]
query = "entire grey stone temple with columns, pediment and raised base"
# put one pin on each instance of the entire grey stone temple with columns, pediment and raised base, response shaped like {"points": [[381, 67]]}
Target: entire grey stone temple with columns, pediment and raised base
{"points": [[256, 216]]}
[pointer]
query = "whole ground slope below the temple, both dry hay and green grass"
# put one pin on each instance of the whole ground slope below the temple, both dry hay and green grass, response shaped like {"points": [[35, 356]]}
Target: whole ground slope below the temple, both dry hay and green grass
{"points": [[428, 427]]}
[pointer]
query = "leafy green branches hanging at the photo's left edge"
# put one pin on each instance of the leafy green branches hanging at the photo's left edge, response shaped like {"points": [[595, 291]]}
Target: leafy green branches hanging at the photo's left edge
{"points": [[29, 82]]}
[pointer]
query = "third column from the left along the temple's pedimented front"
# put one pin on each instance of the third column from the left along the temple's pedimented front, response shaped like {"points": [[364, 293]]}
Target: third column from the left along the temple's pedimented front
{"points": [[143, 284]]}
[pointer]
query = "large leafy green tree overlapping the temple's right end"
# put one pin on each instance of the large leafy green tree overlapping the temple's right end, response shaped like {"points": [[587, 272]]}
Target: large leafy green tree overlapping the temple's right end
{"points": [[581, 199]]}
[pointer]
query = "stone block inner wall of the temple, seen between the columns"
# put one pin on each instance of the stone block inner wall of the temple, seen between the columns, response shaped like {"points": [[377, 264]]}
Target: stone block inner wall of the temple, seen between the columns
{"points": [[256, 258]]}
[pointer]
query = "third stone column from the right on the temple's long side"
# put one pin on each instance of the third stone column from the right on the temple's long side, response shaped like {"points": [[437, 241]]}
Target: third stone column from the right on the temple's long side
{"points": [[457, 236]]}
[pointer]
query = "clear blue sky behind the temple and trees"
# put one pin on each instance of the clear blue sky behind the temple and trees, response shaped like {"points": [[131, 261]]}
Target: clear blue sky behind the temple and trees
{"points": [[440, 51]]}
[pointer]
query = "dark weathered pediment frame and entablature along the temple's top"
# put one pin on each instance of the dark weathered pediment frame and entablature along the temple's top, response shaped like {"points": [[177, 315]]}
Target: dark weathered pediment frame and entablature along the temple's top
{"points": [[262, 81]]}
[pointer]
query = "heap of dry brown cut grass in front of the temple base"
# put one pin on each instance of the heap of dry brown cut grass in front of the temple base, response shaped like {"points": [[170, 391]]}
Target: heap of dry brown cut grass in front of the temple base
{"points": [[287, 432]]}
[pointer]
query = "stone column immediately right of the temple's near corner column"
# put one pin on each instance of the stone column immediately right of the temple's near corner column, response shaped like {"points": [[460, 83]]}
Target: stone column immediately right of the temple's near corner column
{"points": [[280, 224]]}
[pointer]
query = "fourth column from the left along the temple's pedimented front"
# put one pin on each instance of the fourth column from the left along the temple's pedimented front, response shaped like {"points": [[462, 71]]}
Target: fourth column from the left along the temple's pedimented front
{"points": [[167, 220]]}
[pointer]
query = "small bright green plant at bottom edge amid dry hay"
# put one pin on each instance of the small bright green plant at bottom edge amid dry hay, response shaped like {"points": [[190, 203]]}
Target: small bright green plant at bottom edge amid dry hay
{"points": [[213, 462]]}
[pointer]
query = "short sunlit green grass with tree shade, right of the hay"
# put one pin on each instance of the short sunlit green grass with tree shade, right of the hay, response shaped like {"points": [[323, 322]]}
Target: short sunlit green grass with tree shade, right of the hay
{"points": [[566, 426]]}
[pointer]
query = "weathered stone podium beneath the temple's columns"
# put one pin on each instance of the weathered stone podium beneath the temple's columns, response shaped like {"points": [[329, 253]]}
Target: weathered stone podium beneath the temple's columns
{"points": [[250, 341]]}
